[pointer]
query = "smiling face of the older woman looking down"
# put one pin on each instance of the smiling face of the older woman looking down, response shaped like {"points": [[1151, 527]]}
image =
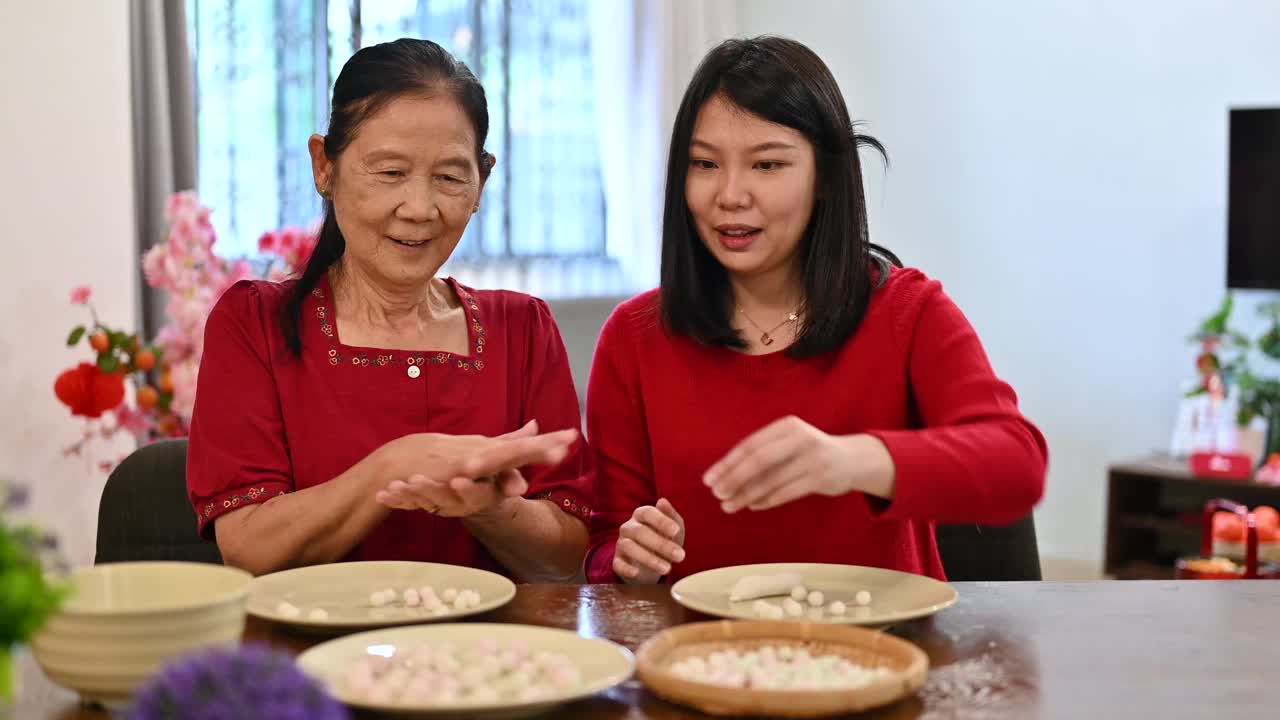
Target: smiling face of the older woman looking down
{"points": [[405, 188]]}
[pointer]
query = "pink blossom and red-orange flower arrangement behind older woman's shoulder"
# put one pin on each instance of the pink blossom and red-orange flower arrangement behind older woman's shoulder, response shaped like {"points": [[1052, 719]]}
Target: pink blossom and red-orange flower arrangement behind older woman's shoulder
{"points": [[163, 371]]}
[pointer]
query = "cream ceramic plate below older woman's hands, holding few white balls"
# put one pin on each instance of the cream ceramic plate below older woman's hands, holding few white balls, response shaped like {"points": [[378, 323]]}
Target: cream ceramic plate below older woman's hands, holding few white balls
{"points": [[342, 593]]}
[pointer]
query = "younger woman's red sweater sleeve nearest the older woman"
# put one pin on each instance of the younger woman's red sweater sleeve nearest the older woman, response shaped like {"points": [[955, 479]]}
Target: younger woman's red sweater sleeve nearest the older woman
{"points": [[616, 426]]}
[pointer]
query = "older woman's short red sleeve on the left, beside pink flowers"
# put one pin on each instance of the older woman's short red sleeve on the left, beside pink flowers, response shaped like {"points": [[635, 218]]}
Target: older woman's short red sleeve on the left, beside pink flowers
{"points": [[236, 454]]}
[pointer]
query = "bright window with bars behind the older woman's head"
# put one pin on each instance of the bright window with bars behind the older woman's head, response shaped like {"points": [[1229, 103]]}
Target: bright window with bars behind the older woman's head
{"points": [[264, 71]]}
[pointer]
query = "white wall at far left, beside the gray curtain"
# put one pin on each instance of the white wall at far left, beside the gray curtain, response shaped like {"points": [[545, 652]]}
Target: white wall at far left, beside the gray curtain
{"points": [[66, 220]]}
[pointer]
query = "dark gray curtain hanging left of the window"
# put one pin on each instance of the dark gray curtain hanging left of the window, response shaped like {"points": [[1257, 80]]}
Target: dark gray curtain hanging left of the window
{"points": [[164, 125]]}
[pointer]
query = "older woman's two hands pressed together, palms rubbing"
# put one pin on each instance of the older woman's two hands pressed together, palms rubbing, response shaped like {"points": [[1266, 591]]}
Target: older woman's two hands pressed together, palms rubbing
{"points": [[463, 476]]}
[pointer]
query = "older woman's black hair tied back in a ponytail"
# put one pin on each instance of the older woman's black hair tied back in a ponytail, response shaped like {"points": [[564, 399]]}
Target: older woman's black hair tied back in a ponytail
{"points": [[371, 80]]}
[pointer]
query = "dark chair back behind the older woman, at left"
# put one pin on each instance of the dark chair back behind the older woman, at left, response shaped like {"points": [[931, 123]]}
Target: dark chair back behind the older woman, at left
{"points": [[145, 513]]}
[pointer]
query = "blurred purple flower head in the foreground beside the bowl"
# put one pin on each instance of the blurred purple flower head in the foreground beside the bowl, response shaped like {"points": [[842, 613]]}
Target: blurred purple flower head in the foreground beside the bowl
{"points": [[249, 683]]}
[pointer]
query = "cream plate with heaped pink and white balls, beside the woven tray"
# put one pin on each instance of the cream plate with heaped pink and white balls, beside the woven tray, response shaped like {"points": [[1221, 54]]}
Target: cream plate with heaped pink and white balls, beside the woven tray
{"points": [[601, 663]]}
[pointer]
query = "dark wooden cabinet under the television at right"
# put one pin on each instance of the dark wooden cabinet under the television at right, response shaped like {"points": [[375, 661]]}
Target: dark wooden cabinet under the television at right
{"points": [[1154, 514]]}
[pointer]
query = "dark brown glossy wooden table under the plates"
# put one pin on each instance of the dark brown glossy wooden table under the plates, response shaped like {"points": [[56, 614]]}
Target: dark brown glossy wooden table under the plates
{"points": [[1103, 650]]}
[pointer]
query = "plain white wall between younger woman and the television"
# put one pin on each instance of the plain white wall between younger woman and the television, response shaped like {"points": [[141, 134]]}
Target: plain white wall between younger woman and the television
{"points": [[1060, 166]]}
